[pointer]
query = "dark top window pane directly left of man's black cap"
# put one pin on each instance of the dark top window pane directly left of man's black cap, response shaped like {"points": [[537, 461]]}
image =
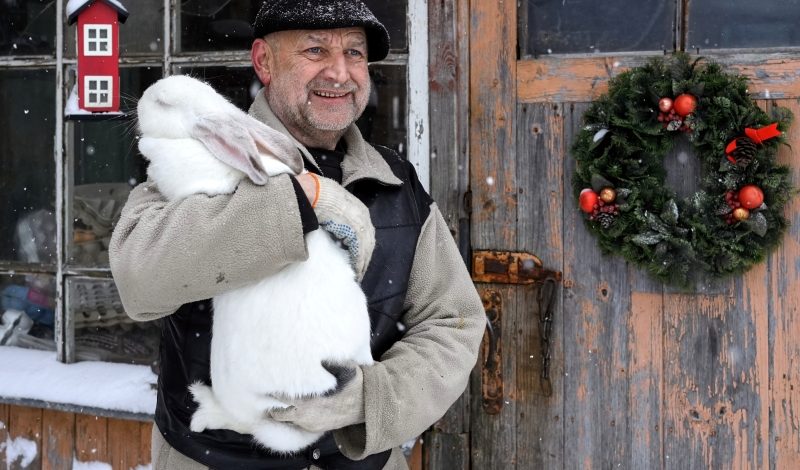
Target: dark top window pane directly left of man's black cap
{"points": [[212, 25]]}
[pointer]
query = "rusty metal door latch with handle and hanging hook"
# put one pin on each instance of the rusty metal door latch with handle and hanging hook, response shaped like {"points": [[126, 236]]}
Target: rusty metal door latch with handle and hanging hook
{"points": [[503, 267]]}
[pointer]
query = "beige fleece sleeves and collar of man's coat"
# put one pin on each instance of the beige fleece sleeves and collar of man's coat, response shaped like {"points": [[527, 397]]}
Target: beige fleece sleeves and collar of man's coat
{"points": [[165, 254]]}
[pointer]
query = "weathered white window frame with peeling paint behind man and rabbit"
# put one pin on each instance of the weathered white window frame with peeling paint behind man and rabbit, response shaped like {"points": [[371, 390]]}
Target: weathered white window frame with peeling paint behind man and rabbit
{"points": [[169, 59]]}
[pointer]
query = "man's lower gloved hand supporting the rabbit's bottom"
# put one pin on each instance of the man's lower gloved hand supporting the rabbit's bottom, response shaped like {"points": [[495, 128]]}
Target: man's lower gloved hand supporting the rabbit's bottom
{"points": [[335, 410]]}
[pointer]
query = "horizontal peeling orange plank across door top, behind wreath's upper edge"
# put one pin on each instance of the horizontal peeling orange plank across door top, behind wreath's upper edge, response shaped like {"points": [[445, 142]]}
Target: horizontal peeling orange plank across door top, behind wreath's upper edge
{"points": [[579, 79]]}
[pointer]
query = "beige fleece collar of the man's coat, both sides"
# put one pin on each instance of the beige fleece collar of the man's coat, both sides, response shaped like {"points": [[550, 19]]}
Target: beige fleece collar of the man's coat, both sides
{"points": [[361, 161]]}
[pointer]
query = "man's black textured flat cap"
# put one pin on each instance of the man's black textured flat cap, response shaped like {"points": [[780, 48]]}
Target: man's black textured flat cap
{"points": [[284, 15]]}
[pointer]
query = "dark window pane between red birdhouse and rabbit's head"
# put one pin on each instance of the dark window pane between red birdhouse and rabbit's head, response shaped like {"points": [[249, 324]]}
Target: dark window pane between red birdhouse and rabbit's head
{"points": [[106, 165]]}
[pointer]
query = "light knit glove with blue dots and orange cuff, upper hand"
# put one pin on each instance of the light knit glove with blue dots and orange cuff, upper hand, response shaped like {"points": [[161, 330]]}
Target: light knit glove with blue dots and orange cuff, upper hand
{"points": [[346, 218]]}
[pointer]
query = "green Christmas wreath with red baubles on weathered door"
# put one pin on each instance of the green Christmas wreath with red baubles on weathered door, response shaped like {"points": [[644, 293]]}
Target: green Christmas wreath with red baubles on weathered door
{"points": [[736, 216]]}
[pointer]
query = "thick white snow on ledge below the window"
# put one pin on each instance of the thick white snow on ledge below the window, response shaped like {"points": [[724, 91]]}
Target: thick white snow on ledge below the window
{"points": [[37, 375]]}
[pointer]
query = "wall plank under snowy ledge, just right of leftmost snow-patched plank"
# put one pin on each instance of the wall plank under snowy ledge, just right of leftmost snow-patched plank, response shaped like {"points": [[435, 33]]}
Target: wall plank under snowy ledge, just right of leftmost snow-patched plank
{"points": [[58, 439]]}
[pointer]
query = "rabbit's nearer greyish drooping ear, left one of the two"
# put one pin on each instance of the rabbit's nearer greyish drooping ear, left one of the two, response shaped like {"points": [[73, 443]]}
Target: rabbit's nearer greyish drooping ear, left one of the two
{"points": [[230, 144]]}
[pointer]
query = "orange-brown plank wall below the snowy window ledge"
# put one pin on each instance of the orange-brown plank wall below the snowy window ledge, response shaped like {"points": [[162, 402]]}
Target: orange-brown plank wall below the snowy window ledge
{"points": [[61, 437]]}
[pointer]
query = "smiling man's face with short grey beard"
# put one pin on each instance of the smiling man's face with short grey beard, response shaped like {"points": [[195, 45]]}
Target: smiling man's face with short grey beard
{"points": [[317, 81]]}
